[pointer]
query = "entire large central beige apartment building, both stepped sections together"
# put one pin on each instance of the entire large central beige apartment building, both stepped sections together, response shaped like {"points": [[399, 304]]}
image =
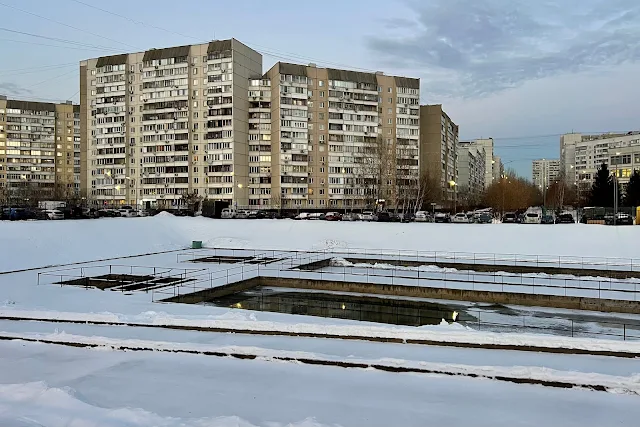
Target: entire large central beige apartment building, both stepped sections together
{"points": [[205, 120]]}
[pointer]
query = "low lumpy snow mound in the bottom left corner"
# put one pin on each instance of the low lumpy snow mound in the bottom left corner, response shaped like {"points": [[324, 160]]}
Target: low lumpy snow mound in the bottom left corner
{"points": [[37, 405]]}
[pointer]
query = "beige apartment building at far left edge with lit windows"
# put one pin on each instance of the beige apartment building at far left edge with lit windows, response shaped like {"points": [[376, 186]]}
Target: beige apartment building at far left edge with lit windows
{"points": [[39, 149]]}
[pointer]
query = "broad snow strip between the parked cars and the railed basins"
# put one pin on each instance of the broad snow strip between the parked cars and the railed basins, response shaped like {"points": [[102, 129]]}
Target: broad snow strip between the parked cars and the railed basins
{"points": [[38, 243]]}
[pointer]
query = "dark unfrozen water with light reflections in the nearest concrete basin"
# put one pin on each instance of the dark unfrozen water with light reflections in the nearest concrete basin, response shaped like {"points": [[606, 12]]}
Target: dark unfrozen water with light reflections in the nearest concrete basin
{"points": [[334, 305]]}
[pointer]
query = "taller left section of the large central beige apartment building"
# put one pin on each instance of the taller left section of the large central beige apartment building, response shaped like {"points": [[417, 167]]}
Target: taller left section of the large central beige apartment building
{"points": [[160, 124]]}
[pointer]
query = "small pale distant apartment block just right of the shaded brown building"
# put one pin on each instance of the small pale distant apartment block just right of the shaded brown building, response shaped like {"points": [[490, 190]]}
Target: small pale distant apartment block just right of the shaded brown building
{"points": [[471, 168]]}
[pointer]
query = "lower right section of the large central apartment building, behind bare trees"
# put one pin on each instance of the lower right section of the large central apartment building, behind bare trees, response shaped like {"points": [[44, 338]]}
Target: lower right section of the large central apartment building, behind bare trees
{"points": [[342, 139]]}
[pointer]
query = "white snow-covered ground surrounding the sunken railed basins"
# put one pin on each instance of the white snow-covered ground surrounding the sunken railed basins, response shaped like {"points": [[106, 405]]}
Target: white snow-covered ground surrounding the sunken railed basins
{"points": [[55, 385]]}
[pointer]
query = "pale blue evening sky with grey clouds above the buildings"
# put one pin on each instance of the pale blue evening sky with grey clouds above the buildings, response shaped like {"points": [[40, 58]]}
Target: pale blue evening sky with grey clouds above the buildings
{"points": [[520, 71]]}
